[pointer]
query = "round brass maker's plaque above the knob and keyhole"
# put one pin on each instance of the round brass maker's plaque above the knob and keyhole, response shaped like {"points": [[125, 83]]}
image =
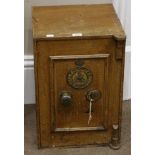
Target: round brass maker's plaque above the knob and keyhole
{"points": [[79, 77]]}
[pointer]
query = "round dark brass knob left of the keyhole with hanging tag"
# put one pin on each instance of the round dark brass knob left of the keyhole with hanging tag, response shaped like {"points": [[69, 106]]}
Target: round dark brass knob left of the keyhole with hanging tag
{"points": [[66, 98]]}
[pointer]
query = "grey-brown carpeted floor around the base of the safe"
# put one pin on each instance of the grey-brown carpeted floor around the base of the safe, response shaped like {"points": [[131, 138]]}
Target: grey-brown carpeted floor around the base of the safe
{"points": [[31, 140]]}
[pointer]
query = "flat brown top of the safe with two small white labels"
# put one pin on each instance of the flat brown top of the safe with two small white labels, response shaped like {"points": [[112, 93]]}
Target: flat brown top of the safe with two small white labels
{"points": [[76, 21]]}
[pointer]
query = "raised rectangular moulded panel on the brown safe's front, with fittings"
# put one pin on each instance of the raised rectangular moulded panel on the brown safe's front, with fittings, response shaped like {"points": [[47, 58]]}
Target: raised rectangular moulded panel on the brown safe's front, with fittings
{"points": [[79, 87]]}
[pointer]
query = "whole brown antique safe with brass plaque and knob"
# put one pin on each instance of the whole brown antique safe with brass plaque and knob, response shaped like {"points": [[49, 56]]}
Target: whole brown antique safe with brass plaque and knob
{"points": [[79, 66]]}
